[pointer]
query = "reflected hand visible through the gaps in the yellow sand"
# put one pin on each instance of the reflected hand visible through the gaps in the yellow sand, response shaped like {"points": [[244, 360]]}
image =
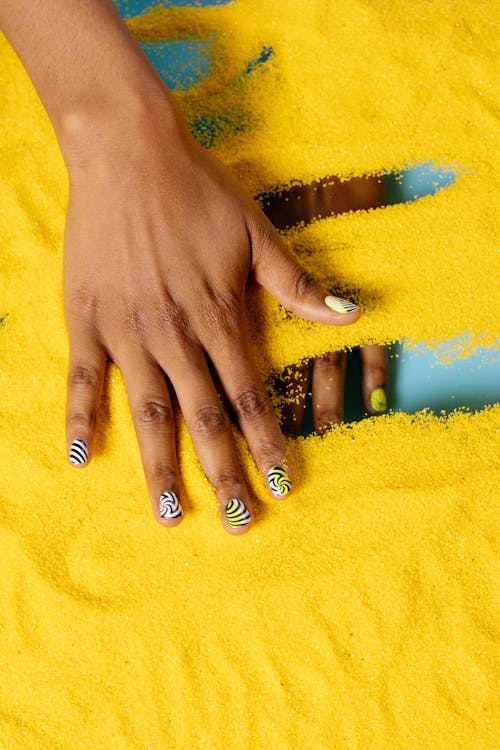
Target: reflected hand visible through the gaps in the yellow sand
{"points": [[324, 377]]}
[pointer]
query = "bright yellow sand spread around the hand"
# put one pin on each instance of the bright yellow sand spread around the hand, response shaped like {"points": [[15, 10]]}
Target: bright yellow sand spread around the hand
{"points": [[362, 611]]}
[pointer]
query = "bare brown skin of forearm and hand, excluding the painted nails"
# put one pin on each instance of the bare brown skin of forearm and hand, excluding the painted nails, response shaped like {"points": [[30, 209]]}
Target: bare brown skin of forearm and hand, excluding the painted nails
{"points": [[159, 243]]}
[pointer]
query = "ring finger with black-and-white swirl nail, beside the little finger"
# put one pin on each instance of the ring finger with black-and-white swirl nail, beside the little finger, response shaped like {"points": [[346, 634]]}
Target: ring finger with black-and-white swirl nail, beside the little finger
{"points": [[154, 423]]}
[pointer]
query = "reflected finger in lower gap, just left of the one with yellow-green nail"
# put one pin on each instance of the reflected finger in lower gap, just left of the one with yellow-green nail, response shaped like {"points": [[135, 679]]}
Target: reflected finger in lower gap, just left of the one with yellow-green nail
{"points": [[328, 379]]}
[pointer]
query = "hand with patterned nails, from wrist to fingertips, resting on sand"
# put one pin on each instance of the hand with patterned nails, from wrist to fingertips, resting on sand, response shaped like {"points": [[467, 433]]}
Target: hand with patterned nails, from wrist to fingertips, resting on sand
{"points": [[159, 243]]}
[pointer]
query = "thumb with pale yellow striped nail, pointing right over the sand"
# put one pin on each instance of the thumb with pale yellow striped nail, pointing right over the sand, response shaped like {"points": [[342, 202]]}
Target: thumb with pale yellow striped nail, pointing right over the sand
{"points": [[277, 271]]}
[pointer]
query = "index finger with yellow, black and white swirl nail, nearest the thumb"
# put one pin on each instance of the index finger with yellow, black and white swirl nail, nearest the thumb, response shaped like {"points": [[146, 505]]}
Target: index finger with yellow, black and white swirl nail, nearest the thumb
{"points": [[252, 406]]}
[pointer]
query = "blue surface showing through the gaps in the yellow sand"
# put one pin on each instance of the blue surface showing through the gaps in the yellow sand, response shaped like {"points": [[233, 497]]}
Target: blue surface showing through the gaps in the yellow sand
{"points": [[417, 379]]}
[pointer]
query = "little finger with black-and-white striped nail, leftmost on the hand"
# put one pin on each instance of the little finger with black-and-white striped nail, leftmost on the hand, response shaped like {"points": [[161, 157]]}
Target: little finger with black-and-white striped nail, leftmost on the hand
{"points": [[86, 368]]}
